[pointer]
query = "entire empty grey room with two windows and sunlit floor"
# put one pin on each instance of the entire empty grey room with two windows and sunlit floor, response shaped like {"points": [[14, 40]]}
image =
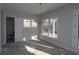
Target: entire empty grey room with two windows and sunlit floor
{"points": [[39, 28]]}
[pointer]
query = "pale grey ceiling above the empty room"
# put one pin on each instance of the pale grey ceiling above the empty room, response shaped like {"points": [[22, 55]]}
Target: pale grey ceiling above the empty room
{"points": [[32, 8]]}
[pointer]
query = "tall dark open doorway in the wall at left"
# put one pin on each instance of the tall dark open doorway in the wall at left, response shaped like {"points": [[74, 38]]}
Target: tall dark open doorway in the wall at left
{"points": [[10, 29]]}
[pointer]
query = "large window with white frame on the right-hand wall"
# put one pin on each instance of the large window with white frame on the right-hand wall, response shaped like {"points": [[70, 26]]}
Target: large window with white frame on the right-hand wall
{"points": [[49, 27]]}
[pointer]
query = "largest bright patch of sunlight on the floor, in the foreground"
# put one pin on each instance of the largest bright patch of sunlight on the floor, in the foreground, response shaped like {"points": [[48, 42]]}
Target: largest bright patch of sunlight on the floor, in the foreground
{"points": [[35, 51]]}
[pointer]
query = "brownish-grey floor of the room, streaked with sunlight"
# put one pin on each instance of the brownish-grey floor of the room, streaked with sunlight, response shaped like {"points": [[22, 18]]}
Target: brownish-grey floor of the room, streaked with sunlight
{"points": [[33, 47]]}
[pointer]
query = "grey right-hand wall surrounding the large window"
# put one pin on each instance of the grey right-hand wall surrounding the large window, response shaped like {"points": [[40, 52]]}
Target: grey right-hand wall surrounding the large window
{"points": [[65, 22]]}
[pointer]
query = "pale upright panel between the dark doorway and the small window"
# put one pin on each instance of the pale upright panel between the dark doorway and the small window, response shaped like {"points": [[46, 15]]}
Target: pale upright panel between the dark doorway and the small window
{"points": [[18, 29]]}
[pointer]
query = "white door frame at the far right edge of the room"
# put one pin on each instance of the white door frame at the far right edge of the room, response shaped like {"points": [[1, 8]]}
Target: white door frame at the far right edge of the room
{"points": [[75, 38]]}
